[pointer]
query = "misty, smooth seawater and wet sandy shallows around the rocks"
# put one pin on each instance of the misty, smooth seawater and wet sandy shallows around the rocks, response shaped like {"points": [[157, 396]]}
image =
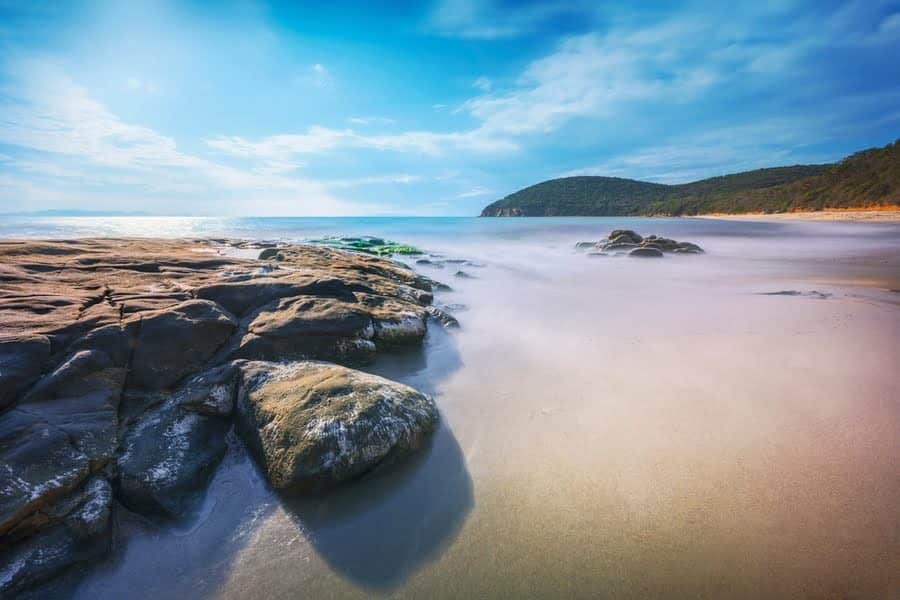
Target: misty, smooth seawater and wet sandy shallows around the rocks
{"points": [[610, 427]]}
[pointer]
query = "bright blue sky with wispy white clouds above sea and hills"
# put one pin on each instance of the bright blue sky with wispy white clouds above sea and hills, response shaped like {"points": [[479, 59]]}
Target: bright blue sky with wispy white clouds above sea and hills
{"points": [[428, 108]]}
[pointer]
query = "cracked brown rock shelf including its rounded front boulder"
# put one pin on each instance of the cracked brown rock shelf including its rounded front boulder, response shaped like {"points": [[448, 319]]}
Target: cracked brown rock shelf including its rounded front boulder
{"points": [[125, 362]]}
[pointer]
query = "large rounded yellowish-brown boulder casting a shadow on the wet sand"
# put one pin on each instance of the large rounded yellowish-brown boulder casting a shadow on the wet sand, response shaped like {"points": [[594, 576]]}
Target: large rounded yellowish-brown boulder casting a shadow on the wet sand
{"points": [[312, 425]]}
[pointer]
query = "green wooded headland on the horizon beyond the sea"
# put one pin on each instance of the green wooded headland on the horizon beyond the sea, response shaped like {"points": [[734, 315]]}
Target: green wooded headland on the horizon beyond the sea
{"points": [[869, 178]]}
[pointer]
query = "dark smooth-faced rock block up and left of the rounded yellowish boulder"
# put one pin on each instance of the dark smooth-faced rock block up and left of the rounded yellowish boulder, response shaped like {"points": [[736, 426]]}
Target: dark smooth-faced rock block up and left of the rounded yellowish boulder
{"points": [[174, 342]]}
